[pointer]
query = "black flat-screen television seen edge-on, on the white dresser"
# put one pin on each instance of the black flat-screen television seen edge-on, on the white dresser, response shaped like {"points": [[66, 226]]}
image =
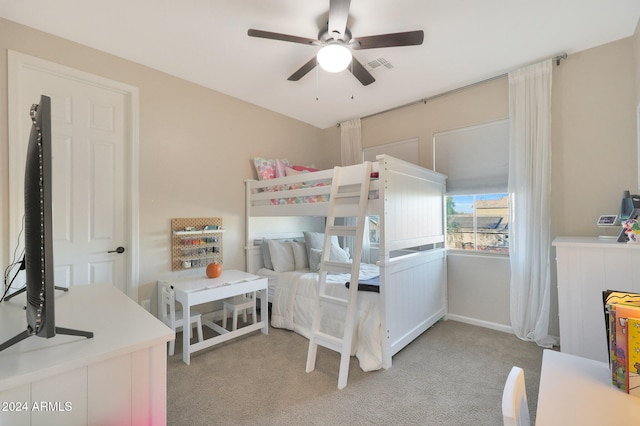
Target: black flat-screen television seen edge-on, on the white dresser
{"points": [[38, 232]]}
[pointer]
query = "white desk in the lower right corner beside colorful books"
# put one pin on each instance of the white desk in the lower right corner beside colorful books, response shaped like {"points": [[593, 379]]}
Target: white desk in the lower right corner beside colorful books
{"points": [[578, 391]]}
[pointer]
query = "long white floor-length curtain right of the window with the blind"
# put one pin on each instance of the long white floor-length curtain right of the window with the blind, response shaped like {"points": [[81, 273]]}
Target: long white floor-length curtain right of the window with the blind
{"points": [[529, 188]]}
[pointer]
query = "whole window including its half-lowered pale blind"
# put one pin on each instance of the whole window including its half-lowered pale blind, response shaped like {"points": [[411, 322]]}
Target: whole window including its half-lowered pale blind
{"points": [[476, 162]]}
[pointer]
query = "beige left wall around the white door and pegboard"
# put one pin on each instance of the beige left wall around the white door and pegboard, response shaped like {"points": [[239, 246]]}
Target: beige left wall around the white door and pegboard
{"points": [[195, 147]]}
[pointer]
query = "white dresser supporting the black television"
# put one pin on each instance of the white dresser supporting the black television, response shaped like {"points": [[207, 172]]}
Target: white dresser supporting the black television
{"points": [[116, 377]]}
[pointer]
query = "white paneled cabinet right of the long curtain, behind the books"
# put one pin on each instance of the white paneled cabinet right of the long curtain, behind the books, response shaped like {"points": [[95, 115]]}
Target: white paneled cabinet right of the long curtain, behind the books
{"points": [[586, 267]]}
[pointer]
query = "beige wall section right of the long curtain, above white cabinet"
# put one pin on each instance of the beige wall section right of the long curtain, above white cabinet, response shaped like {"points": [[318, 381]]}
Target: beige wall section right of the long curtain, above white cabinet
{"points": [[594, 136]]}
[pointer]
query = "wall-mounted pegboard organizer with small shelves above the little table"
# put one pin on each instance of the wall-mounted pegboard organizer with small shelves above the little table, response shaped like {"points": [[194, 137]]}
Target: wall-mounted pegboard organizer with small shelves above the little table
{"points": [[196, 242]]}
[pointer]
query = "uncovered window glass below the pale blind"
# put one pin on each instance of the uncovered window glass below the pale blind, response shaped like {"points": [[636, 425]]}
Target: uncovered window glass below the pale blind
{"points": [[478, 222]]}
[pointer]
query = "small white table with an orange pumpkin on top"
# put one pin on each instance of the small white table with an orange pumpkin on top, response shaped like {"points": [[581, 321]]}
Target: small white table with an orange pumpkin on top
{"points": [[192, 291]]}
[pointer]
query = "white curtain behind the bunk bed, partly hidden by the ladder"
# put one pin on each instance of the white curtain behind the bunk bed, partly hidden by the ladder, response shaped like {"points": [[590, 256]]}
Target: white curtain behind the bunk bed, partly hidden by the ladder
{"points": [[351, 153]]}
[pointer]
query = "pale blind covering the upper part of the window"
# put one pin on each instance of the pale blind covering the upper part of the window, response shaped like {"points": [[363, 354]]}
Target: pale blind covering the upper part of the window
{"points": [[475, 159]]}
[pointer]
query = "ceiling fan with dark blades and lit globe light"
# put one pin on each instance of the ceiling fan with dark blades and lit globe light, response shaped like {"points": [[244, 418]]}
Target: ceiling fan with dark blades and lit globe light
{"points": [[337, 43]]}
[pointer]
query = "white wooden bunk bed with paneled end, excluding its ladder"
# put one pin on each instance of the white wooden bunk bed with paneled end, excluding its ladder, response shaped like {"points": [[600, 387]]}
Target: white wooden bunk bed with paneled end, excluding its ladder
{"points": [[408, 265]]}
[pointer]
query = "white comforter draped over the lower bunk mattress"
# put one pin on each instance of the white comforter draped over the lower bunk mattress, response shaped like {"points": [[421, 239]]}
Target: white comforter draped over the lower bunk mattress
{"points": [[293, 308]]}
